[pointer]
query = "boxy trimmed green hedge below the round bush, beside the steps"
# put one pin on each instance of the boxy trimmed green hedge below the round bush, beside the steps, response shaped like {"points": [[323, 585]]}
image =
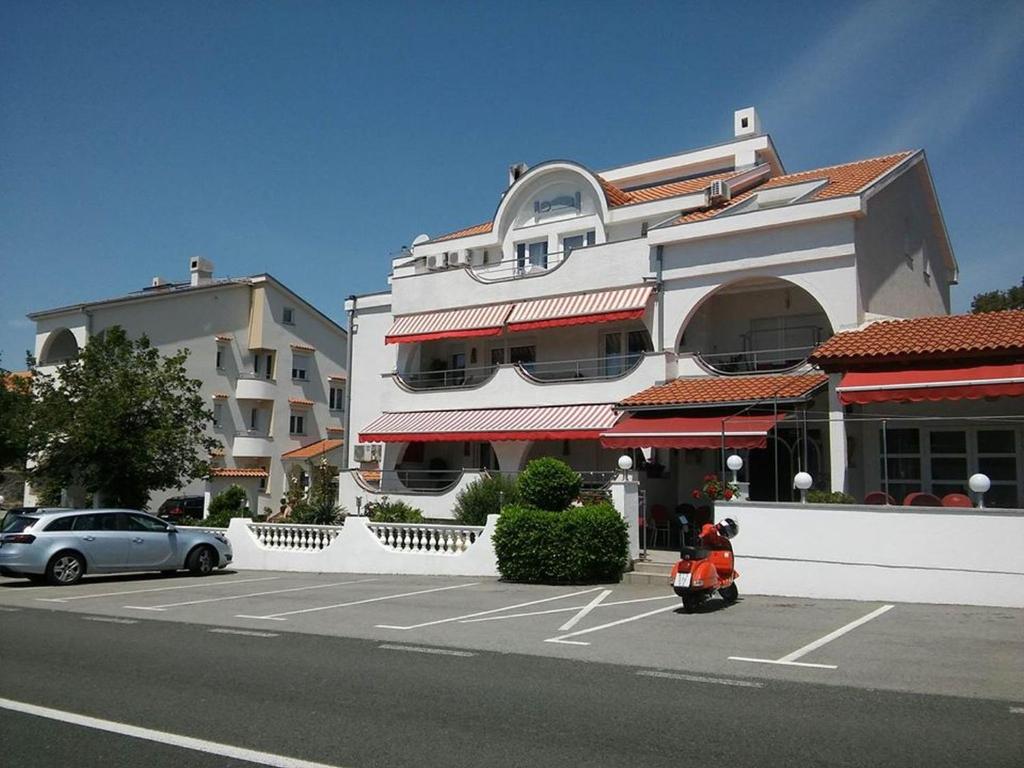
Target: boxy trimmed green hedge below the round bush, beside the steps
{"points": [[581, 545]]}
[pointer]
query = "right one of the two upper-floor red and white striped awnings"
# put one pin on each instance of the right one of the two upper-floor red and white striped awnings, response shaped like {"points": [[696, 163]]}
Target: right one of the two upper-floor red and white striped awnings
{"points": [[581, 309]]}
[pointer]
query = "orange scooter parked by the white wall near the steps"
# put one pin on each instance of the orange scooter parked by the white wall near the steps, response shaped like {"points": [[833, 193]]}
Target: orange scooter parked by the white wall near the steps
{"points": [[707, 568]]}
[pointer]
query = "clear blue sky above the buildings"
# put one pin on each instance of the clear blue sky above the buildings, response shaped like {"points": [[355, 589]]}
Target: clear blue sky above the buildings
{"points": [[311, 140]]}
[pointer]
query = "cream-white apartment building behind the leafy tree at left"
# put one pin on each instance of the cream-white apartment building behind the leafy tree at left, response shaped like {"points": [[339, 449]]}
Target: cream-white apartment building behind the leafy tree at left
{"points": [[272, 367]]}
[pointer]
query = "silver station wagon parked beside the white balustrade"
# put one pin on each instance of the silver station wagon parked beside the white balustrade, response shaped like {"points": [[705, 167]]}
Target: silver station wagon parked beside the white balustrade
{"points": [[62, 546]]}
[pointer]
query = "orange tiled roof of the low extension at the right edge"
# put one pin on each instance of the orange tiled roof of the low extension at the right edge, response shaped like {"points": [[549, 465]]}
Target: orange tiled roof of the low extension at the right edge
{"points": [[944, 336]]}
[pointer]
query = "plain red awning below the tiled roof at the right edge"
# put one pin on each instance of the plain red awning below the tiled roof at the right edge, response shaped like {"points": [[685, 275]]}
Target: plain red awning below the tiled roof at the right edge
{"points": [[942, 385]]}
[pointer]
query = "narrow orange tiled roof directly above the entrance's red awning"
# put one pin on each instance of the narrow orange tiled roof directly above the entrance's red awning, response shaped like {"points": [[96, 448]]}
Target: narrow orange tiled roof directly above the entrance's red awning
{"points": [[716, 391]]}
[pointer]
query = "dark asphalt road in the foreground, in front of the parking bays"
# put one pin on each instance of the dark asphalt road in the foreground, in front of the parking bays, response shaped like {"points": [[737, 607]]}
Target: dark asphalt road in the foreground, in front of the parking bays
{"points": [[360, 703]]}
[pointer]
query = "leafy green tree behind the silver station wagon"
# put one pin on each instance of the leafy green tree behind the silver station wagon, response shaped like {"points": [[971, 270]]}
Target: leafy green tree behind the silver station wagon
{"points": [[121, 421]]}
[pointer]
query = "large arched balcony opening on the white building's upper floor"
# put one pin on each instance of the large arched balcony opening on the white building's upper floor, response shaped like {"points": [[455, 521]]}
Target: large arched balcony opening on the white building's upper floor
{"points": [[754, 326]]}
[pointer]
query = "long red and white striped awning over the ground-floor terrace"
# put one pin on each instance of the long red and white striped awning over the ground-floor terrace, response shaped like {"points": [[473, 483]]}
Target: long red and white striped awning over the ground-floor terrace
{"points": [[546, 423]]}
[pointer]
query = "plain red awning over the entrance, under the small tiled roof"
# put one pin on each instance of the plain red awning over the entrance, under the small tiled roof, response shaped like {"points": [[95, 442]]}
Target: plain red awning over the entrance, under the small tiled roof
{"points": [[691, 432]]}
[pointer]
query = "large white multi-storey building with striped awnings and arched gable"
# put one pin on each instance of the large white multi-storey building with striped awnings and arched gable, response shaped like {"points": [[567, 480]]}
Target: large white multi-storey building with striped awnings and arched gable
{"points": [[713, 272]]}
